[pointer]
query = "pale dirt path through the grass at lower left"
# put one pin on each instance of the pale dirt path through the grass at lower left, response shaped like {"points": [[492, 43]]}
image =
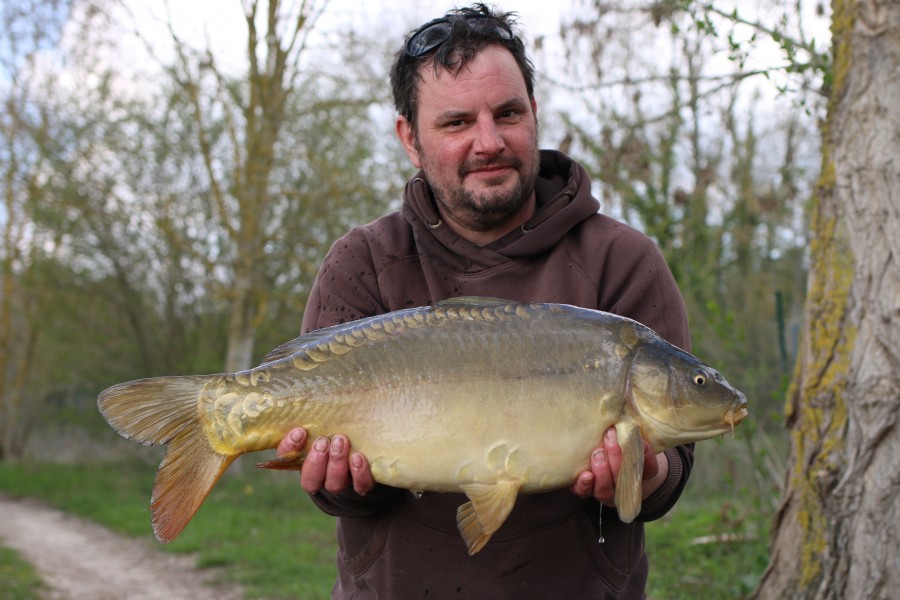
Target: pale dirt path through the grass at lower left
{"points": [[78, 559]]}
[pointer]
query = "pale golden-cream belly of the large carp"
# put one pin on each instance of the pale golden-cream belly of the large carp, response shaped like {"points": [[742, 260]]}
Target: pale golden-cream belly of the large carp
{"points": [[441, 436]]}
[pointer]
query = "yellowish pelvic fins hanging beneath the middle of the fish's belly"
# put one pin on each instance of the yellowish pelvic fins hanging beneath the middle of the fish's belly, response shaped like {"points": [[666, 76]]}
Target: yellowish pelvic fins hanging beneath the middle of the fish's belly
{"points": [[487, 509]]}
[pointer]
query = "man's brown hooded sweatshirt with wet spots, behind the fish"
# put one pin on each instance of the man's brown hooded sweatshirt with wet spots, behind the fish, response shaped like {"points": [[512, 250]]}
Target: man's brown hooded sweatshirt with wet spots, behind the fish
{"points": [[395, 545]]}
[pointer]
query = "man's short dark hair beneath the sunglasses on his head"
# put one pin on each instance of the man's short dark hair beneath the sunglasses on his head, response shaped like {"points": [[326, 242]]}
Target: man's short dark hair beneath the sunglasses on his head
{"points": [[460, 47]]}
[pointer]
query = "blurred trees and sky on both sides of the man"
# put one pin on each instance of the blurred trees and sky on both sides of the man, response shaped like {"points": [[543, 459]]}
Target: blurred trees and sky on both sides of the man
{"points": [[166, 206]]}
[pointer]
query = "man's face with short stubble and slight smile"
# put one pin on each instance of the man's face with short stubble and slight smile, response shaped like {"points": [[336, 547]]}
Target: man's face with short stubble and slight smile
{"points": [[476, 141]]}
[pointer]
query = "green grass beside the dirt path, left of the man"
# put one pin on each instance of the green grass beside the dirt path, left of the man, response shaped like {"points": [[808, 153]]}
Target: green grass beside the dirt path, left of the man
{"points": [[257, 527]]}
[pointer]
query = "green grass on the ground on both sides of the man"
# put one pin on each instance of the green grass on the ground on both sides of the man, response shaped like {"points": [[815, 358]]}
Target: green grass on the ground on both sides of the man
{"points": [[260, 530]]}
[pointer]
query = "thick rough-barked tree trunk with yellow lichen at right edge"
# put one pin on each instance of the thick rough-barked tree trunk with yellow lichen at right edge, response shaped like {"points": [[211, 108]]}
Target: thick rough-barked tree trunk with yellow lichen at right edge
{"points": [[837, 530]]}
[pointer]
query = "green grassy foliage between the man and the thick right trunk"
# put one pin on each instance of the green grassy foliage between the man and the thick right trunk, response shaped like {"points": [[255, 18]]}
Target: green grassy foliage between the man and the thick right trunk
{"points": [[715, 543]]}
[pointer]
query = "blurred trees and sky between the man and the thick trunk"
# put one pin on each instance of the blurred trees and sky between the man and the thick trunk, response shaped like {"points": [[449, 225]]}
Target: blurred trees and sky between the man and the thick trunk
{"points": [[699, 126]]}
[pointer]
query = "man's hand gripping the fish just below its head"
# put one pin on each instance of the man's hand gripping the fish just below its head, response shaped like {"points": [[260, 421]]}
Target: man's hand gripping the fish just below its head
{"points": [[600, 481]]}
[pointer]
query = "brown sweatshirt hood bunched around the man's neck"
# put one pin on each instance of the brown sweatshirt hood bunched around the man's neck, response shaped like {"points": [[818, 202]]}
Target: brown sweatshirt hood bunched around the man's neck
{"points": [[564, 200]]}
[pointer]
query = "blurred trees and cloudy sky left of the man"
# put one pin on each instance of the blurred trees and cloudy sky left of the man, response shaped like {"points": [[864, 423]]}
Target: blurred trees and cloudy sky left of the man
{"points": [[170, 218]]}
